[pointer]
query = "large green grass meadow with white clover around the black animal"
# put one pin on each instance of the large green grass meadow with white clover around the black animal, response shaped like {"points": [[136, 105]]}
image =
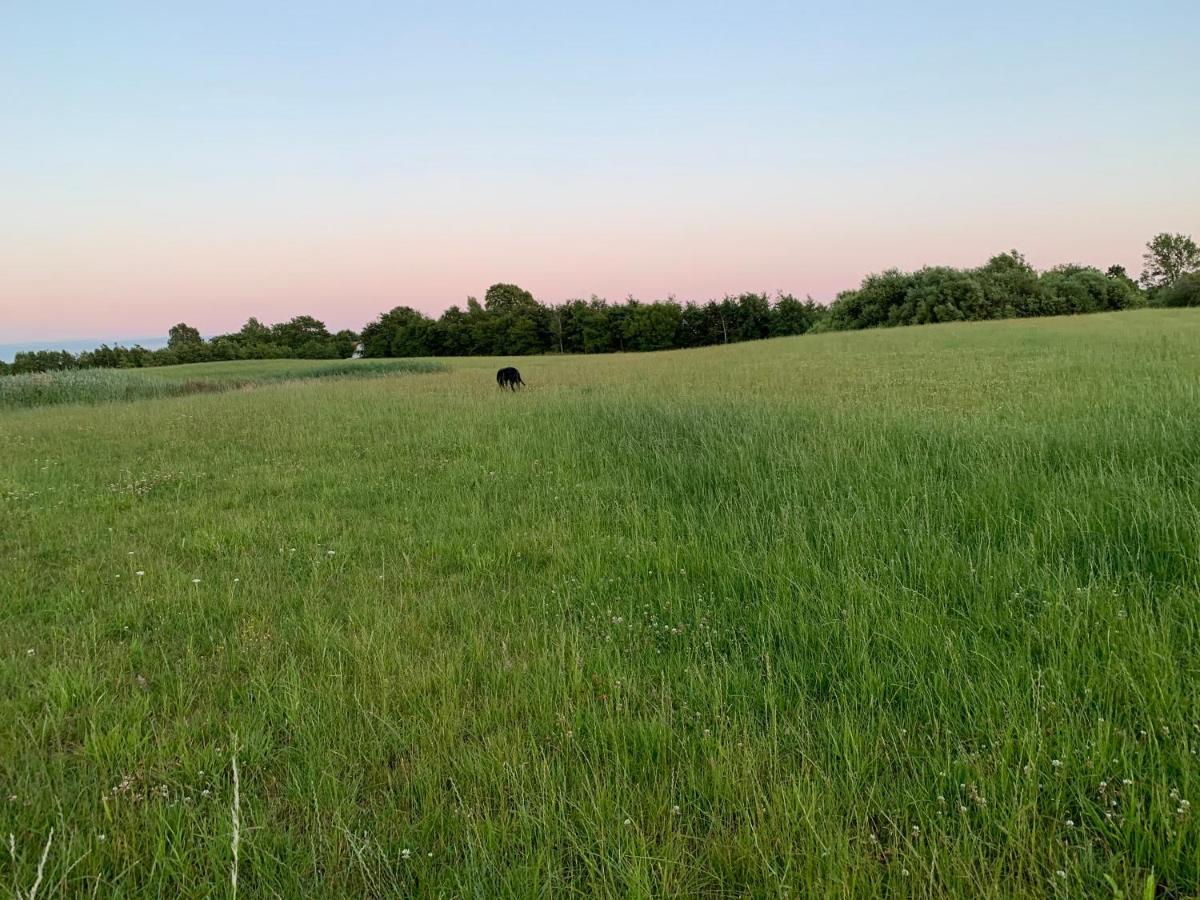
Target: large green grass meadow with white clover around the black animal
{"points": [[905, 613]]}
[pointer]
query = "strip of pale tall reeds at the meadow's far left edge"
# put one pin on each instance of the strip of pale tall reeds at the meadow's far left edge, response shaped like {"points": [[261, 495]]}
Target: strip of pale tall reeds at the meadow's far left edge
{"points": [[105, 386]]}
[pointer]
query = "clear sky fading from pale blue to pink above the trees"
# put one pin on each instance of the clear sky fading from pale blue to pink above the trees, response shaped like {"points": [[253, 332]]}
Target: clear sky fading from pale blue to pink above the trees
{"points": [[209, 163]]}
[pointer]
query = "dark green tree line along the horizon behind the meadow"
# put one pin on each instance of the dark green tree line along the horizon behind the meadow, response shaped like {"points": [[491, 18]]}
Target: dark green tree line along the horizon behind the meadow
{"points": [[511, 322]]}
